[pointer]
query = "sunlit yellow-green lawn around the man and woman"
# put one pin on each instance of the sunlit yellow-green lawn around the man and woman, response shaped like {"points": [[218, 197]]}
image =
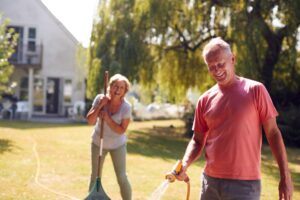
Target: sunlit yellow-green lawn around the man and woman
{"points": [[52, 161]]}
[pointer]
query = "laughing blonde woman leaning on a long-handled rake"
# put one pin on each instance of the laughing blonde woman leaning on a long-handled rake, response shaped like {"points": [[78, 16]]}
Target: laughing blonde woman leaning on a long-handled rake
{"points": [[116, 114]]}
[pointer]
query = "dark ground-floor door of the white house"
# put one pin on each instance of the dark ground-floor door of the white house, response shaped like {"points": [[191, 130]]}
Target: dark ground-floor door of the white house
{"points": [[52, 96]]}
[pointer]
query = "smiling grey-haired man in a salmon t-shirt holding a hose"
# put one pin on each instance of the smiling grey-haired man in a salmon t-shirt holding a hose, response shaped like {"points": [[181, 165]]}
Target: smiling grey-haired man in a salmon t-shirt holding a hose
{"points": [[228, 123]]}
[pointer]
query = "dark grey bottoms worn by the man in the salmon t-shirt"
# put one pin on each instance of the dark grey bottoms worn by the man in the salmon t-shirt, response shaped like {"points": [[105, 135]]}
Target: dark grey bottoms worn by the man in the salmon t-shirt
{"points": [[228, 189]]}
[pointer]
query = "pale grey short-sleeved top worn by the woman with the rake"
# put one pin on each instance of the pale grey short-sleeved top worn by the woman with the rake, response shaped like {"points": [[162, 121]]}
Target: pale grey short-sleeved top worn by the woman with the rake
{"points": [[111, 139]]}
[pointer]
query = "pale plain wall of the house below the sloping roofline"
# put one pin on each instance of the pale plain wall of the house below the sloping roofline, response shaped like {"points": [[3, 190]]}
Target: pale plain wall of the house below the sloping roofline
{"points": [[59, 46]]}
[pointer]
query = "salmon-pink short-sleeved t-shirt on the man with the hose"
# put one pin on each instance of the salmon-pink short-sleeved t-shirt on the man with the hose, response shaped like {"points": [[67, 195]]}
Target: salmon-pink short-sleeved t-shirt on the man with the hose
{"points": [[232, 119]]}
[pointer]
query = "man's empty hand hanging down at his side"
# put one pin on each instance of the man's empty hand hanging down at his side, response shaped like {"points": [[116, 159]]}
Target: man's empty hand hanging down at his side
{"points": [[286, 188]]}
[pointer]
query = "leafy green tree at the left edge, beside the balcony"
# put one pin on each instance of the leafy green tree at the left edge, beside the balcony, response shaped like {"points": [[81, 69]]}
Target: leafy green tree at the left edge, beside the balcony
{"points": [[7, 43]]}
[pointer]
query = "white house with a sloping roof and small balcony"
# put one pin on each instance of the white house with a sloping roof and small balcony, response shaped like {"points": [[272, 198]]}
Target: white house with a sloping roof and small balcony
{"points": [[46, 75]]}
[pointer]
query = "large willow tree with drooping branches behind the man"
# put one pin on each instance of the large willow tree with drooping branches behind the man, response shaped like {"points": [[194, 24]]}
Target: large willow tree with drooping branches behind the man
{"points": [[159, 43]]}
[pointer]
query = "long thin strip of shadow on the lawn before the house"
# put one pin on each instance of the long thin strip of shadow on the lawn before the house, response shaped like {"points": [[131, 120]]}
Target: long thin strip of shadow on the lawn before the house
{"points": [[35, 125]]}
